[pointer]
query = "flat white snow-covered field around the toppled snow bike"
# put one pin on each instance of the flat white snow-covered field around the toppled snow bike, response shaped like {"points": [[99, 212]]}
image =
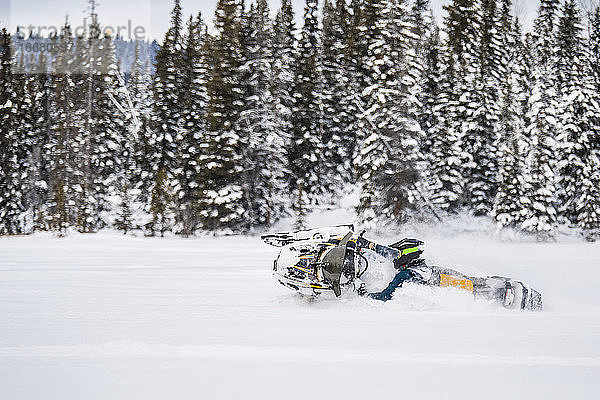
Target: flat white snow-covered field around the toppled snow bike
{"points": [[110, 317]]}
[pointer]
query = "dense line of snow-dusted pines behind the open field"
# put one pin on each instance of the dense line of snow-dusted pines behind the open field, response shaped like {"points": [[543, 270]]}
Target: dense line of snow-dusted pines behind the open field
{"points": [[234, 128]]}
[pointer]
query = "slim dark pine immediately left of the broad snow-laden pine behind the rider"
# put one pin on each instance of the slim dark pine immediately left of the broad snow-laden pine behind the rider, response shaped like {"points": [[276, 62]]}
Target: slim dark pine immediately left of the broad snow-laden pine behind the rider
{"points": [[339, 109]]}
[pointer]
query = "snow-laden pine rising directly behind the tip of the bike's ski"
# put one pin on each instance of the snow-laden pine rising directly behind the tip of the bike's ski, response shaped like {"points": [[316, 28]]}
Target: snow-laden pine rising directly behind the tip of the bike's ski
{"points": [[263, 146]]}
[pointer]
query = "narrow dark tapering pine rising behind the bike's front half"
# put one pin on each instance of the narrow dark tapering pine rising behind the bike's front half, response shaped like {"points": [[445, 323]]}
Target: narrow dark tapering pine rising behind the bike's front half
{"points": [[305, 148]]}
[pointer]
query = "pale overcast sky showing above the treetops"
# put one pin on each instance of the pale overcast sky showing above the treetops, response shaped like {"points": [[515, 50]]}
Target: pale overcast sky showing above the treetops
{"points": [[151, 15]]}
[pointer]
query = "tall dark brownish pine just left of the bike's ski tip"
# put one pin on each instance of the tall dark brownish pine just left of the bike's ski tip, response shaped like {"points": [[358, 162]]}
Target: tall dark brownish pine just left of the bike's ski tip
{"points": [[220, 167]]}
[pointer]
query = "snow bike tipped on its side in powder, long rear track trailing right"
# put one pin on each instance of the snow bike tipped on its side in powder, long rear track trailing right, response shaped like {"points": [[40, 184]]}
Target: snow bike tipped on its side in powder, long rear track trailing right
{"points": [[333, 260]]}
